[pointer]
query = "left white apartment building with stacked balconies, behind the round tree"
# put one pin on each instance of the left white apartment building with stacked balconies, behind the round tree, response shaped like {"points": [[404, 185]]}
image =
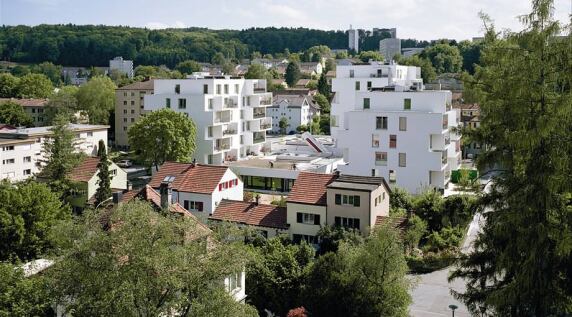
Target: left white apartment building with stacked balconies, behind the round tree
{"points": [[229, 113]]}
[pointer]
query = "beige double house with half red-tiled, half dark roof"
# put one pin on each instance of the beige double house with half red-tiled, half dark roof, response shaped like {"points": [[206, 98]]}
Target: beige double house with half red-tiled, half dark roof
{"points": [[346, 201]]}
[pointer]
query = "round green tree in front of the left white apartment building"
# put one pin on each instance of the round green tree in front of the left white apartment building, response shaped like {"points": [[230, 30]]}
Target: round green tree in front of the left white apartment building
{"points": [[161, 136]]}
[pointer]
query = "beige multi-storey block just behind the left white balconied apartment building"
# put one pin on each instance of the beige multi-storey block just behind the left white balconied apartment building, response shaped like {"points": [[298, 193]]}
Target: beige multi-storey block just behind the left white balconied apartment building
{"points": [[129, 107]]}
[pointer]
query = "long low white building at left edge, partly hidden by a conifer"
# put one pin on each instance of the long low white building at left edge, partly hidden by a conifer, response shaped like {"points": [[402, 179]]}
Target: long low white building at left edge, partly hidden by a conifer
{"points": [[21, 150]]}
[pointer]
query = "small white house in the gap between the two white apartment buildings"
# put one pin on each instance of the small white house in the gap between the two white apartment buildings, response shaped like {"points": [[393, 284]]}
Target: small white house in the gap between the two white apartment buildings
{"points": [[298, 109]]}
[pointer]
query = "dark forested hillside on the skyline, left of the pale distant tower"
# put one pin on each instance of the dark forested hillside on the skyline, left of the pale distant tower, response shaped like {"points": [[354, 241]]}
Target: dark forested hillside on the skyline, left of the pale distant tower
{"points": [[94, 45]]}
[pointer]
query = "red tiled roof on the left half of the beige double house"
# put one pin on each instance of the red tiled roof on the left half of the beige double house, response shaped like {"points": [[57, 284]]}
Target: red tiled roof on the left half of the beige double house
{"points": [[310, 188]]}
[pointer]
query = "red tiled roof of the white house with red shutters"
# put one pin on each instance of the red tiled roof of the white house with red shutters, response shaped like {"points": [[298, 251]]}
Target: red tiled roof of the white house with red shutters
{"points": [[190, 178]]}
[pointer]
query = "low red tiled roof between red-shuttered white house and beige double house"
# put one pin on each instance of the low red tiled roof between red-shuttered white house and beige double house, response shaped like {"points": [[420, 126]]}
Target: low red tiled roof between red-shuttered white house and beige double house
{"points": [[251, 214]]}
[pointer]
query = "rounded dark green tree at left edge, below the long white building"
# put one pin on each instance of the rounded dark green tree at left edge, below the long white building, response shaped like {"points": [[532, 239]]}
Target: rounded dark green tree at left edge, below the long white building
{"points": [[27, 212]]}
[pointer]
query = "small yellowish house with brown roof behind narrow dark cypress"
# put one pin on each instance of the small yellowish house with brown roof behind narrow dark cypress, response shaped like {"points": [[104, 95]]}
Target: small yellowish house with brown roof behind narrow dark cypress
{"points": [[85, 181]]}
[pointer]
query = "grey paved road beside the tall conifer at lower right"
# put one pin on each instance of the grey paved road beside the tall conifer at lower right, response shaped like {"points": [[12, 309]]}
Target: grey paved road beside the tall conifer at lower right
{"points": [[432, 295]]}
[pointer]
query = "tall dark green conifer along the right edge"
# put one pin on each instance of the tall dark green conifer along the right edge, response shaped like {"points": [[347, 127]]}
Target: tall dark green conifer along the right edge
{"points": [[521, 263]]}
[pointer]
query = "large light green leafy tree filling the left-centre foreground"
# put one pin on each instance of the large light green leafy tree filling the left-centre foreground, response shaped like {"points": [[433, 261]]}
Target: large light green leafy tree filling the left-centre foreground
{"points": [[148, 264]]}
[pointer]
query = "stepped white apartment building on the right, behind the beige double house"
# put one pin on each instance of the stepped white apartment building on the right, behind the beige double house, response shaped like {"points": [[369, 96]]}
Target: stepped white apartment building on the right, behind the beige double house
{"points": [[388, 126]]}
